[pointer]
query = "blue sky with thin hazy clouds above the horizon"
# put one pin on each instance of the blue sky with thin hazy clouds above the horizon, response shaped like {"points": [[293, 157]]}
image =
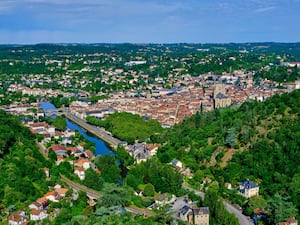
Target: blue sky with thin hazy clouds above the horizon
{"points": [[149, 21]]}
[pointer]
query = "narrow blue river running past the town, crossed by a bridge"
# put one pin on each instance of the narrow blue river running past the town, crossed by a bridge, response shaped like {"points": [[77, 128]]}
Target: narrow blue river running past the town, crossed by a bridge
{"points": [[101, 147]]}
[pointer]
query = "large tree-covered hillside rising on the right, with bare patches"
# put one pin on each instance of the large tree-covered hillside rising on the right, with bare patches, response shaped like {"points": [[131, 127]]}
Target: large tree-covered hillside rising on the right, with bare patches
{"points": [[264, 138]]}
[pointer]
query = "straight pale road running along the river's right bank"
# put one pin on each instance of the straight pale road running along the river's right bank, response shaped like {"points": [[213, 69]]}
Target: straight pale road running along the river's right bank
{"points": [[102, 134]]}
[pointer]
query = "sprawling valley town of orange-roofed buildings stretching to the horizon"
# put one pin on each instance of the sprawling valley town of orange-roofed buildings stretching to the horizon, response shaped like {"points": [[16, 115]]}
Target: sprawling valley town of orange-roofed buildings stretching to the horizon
{"points": [[166, 83]]}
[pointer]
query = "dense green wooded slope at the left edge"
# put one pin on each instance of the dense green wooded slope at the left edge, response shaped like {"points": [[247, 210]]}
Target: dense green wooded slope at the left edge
{"points": [[22, 177]]}
